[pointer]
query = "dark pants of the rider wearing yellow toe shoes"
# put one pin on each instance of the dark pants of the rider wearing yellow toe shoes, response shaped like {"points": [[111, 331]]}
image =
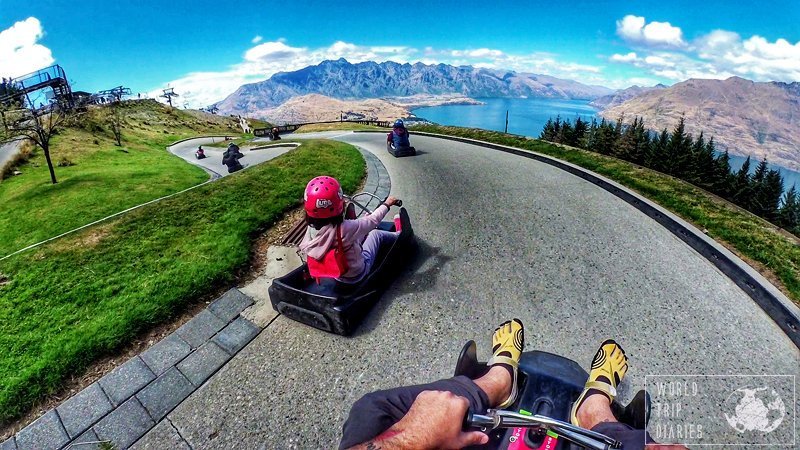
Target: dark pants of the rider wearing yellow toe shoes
{"points": [[376, 412]]}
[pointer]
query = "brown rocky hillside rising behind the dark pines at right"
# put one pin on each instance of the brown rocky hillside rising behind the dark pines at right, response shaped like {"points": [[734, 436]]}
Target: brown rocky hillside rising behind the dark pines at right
{"points": [[747, 118]]}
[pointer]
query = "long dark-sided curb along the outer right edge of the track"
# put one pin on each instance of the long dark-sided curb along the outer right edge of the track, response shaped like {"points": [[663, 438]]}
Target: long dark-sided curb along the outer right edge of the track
{"points": [[772, 301]]}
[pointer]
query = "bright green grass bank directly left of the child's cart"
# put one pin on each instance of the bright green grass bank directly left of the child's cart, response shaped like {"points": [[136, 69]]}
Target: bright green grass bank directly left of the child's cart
{"points": [[86, 295]]}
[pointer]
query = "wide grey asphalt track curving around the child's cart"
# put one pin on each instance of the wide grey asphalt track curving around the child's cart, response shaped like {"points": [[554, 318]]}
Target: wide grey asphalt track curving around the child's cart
{"points": [[500, 236]]}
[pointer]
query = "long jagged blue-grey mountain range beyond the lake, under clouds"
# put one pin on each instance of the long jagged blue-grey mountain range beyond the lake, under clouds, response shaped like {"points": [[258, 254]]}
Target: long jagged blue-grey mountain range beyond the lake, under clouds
{"points": [[342, 80]]}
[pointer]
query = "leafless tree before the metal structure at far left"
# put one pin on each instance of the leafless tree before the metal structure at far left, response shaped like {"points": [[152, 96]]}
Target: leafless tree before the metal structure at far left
{"points": [[37, 125]]}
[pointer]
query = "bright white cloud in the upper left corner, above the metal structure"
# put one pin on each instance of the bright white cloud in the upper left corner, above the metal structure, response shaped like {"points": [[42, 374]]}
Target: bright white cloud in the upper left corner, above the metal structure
{"points": [[20, 52]]}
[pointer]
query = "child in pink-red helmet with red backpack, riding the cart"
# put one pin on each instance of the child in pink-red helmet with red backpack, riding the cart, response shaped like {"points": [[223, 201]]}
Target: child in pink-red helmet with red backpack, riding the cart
{"points": [[338, 248]]}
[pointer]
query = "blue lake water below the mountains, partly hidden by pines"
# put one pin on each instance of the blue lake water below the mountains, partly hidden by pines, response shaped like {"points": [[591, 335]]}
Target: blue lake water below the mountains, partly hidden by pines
{"points": [[527, 116]]}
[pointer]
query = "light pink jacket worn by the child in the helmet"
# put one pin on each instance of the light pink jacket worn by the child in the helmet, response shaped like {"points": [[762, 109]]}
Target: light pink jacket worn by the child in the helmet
{"points": [[316, 244]]}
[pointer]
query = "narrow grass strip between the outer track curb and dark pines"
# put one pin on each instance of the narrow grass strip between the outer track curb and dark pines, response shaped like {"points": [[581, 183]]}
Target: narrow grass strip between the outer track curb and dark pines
{"points": [[774, 254]]}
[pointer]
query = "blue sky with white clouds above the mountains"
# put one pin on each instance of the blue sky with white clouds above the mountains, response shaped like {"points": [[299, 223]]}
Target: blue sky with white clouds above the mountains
{"points": [[205, 49]]}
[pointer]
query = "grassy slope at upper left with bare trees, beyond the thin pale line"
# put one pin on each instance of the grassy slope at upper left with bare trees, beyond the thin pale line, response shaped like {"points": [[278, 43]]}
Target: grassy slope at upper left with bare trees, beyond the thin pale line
{"points": [[104, 178]]}
